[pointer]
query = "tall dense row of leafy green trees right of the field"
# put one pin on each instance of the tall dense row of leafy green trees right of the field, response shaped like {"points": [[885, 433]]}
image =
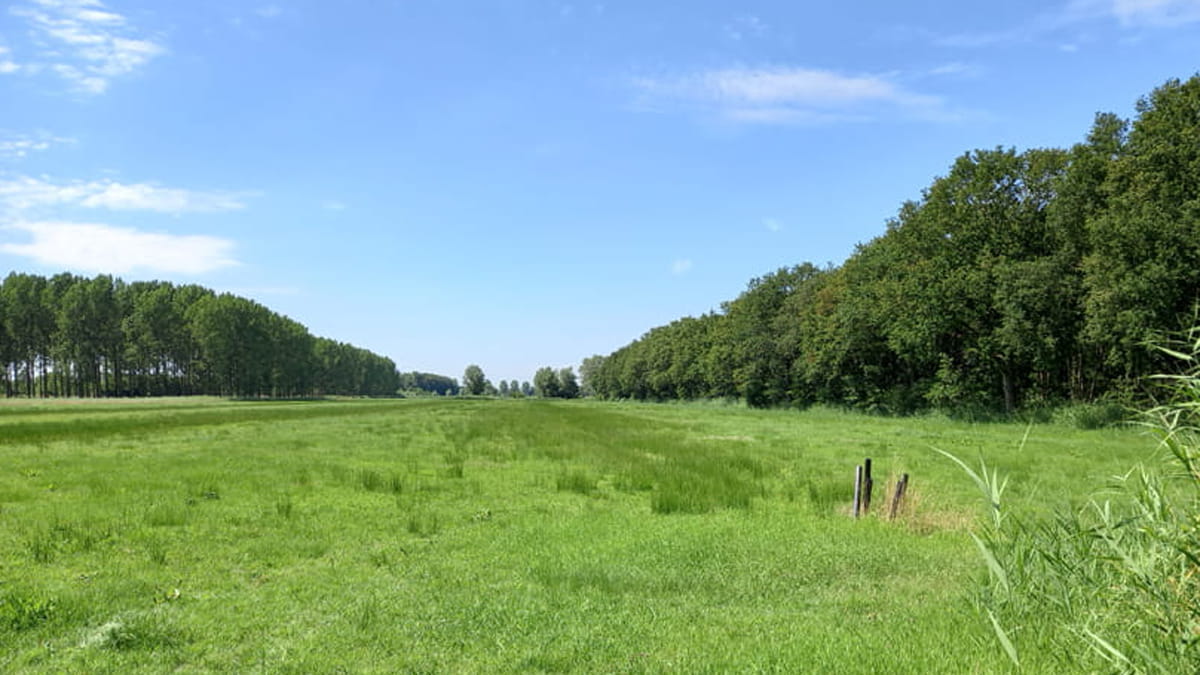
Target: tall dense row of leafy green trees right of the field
{"points": [[1017, 279]]}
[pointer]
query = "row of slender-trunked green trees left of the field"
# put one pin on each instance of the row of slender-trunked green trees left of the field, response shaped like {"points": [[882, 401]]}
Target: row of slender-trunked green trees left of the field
{"points": [[75, 337]]}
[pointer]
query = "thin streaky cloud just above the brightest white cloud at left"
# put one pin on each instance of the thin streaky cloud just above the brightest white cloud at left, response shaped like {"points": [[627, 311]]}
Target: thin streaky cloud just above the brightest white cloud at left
{"points": [[26, 193]]}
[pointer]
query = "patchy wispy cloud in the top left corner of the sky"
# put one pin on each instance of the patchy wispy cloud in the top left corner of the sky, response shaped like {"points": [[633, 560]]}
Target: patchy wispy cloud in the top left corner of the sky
{"points": [[83, 43]]}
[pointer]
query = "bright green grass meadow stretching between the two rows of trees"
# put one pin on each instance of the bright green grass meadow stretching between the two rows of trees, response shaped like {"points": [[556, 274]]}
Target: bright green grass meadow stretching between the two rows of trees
{"points": [[483, 536]]}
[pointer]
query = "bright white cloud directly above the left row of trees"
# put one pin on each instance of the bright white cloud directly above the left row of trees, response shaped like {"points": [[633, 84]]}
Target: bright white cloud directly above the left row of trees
{"points": [[118, 250]]}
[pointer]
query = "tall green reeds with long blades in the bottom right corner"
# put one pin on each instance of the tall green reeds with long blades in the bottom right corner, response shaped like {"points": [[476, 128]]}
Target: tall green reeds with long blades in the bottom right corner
{"points": [[1115, 586]]}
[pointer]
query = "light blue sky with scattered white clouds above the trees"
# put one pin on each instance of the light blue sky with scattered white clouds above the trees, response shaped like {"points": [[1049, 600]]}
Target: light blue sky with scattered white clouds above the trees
{"points": [[523, 183]]}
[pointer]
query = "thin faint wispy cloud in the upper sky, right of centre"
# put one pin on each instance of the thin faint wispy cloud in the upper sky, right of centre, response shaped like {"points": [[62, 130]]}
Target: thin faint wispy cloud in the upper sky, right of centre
{"points": [[789, 94]]}
